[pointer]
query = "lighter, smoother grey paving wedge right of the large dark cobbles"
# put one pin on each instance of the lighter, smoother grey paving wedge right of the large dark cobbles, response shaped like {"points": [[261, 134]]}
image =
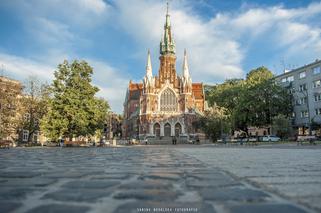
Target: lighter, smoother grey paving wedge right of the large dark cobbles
{"points": [[290, 171]]}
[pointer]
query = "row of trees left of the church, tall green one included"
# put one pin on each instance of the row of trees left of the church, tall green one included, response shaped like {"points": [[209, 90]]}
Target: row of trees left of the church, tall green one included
{"points": [[66, 108]]}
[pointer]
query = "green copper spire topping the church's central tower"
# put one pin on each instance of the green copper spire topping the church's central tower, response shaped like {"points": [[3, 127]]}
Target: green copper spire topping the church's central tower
{"points": [[167, 44]]}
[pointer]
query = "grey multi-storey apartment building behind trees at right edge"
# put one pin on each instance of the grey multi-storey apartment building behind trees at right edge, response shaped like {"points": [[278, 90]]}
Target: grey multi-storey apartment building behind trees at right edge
{"points": [[304, 83]]}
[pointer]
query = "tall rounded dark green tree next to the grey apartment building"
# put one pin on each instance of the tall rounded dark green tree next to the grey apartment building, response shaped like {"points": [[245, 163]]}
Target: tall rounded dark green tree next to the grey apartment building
{"points": [[261, 100]]}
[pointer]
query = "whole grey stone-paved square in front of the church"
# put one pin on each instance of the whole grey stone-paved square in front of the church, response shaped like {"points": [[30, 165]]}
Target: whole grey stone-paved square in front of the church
{"points": [[159, 179]]}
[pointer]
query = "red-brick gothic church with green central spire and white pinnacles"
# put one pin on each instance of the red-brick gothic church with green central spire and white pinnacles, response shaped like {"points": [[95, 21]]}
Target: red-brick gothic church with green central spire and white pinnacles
{"points": [[165, 105]]}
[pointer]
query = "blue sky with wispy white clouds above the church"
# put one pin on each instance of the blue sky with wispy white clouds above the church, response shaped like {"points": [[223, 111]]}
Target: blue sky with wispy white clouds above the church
{"points": [[224, 38]]}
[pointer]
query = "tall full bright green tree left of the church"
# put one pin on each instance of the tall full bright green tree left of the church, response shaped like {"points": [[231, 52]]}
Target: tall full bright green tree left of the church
{"points": [[73, 109]]}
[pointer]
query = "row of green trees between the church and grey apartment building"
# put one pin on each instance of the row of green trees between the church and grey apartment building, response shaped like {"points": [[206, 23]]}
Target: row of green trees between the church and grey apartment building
{"points": [[237, 104]]}
